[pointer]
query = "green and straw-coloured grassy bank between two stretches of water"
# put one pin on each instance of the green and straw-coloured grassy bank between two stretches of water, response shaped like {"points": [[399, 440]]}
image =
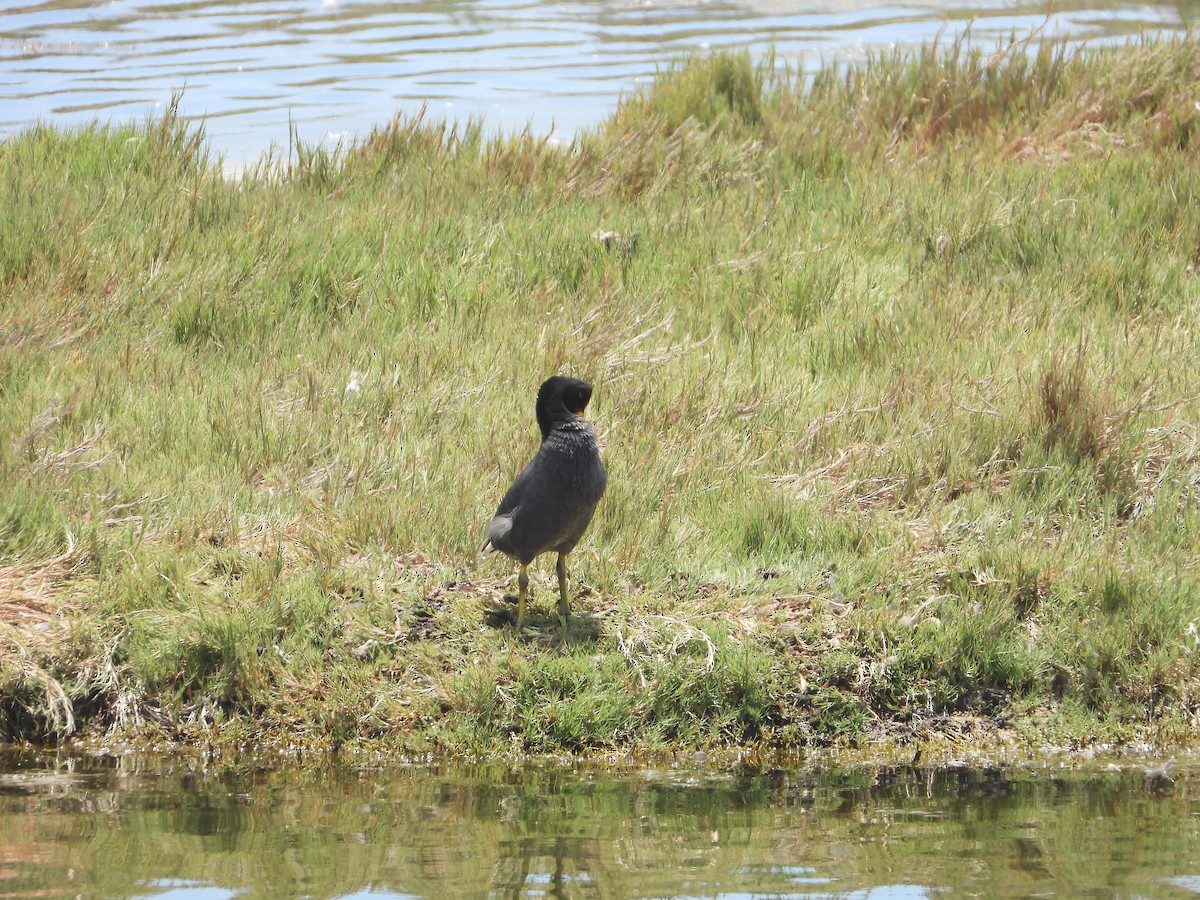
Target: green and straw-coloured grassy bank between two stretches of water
{"points": [[897, 369]]}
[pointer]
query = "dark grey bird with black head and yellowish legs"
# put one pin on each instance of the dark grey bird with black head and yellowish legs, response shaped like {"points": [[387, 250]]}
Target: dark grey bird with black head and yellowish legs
{"points": [[551, 503]]}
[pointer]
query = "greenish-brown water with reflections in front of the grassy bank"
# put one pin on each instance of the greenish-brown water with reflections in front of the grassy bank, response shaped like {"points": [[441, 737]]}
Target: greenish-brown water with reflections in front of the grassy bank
{"points": [[146, 827]]}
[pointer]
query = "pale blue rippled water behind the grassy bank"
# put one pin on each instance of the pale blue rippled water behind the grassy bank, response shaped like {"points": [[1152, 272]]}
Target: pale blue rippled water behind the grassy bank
{"points": [[338, 68]]}
